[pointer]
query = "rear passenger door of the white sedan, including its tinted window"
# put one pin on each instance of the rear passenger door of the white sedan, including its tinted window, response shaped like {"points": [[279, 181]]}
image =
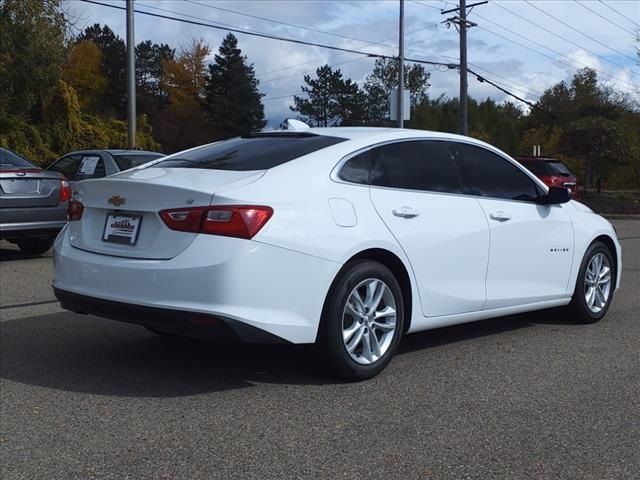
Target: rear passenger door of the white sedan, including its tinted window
{"points": [[417, 191]]}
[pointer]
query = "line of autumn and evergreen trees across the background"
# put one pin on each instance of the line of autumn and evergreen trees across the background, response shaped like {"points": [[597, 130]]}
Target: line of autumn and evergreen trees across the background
{"points": [[62, 91]]}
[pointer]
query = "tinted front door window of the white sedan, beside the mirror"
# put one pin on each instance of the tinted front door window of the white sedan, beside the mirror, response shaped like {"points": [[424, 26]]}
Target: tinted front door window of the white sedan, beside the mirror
{"points": [[493, 176]]}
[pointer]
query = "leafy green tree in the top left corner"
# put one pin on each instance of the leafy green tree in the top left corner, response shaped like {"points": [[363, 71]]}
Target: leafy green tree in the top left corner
{"points": [[32, 50]]}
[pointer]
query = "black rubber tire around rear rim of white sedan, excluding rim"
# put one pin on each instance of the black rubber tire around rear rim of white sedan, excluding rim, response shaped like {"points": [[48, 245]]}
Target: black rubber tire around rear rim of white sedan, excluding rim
{"points": [[331, 324]]}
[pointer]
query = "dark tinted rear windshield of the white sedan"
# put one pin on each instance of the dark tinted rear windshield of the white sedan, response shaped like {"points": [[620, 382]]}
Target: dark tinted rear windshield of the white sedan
{"points": [[255, 152]]}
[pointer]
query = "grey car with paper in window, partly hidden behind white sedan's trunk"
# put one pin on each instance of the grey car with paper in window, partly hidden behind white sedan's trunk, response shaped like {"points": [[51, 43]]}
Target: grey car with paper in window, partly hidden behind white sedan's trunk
{"points": [[85, 164]]}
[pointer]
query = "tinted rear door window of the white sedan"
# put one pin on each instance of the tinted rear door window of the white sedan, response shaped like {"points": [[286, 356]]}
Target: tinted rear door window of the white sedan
{"points": [[417, 165]]}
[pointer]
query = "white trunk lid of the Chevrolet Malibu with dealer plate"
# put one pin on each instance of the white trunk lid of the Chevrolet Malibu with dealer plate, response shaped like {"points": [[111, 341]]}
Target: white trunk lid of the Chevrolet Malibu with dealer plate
{"points": [[133, 200]]}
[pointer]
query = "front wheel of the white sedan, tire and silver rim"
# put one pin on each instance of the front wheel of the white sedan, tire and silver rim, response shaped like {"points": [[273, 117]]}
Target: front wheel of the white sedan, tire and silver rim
{"points": [[594, 286]]}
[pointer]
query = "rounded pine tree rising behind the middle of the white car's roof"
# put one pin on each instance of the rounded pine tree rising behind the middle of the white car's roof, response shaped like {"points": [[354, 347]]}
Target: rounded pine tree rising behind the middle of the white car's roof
{"points": [[331, 100]]}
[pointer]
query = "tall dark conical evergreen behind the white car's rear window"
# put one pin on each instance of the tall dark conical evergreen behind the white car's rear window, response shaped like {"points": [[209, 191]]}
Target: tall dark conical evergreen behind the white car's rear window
{"points": [[232, 100]]}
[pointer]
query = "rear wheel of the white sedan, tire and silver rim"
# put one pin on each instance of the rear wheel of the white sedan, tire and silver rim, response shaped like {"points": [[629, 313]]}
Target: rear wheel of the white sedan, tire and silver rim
{"points": [[362, 320]]}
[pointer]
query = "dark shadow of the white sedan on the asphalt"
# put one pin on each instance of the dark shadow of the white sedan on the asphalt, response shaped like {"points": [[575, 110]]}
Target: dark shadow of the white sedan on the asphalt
{"points": [[80, 353]]}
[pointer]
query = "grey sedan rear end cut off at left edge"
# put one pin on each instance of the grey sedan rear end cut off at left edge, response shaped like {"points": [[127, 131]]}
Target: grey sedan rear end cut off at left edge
{"points": [[33, 203]]}
